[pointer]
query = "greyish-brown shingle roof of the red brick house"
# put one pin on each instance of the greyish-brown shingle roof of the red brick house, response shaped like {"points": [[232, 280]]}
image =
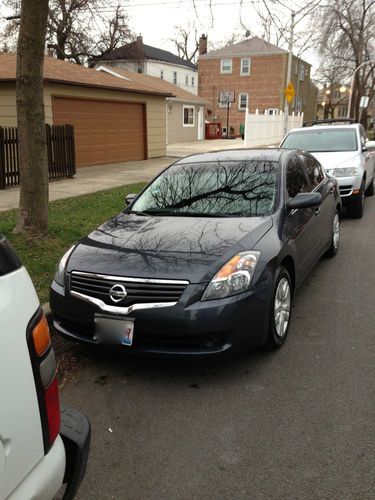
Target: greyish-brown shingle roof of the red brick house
{"points": [[249, 47]]}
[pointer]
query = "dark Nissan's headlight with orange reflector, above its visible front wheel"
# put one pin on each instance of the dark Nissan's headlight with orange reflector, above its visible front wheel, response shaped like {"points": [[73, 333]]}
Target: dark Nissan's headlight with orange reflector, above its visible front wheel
{"points": [[234, 277]]}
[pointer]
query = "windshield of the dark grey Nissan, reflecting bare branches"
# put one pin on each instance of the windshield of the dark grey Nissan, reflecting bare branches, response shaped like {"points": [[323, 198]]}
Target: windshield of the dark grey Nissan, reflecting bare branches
{"points": [[228, 188]]}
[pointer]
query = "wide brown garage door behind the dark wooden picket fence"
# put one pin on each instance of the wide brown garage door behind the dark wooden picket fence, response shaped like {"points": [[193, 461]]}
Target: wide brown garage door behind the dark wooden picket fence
{"points": [[105, 131]]}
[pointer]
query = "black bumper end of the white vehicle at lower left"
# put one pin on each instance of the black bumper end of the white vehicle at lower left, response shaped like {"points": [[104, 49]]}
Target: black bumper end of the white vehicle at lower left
{"points": [[75, 433]]}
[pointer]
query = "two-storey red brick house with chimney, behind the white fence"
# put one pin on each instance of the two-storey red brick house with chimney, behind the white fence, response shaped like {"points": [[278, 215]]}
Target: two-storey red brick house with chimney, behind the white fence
{"points": [[257, 72]]}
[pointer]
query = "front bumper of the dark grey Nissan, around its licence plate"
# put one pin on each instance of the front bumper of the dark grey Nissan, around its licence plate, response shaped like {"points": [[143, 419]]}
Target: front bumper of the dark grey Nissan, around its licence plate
{"points": [[189, 328]]}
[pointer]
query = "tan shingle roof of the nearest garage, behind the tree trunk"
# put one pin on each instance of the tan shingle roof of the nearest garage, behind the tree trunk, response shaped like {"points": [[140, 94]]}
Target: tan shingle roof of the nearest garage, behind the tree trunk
{"points": [[69, 73]]}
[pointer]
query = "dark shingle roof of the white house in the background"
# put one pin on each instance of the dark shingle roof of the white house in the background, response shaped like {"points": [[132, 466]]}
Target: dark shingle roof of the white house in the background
{"points": [[134, 51]]}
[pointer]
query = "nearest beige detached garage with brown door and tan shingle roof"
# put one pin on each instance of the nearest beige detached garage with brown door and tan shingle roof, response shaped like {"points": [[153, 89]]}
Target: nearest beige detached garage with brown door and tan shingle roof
{"points": [[115, 119]]}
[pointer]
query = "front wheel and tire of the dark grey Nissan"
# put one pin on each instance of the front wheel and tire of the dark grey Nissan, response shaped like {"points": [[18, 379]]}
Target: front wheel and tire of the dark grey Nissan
{"points": [[280, 314]]}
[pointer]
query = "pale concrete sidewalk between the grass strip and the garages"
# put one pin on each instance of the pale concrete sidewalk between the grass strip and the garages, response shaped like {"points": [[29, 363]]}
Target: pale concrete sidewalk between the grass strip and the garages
{"points": [[99, 177]]}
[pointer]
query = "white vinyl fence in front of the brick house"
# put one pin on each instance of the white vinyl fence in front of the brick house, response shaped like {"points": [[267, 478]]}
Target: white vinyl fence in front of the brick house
{"points": [[268, 130]]}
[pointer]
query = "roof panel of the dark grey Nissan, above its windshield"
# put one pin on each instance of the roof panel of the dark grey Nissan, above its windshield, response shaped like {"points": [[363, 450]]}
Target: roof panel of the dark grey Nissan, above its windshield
{"points": [[268, 154]]}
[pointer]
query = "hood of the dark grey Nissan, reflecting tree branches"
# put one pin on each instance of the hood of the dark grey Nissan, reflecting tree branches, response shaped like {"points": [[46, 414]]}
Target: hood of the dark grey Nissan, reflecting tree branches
{"points": [[185, 248]]}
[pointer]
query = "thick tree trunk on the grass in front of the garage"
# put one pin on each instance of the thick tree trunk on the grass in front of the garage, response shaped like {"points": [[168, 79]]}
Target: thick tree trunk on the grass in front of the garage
{"points": [[33, 207]]}
